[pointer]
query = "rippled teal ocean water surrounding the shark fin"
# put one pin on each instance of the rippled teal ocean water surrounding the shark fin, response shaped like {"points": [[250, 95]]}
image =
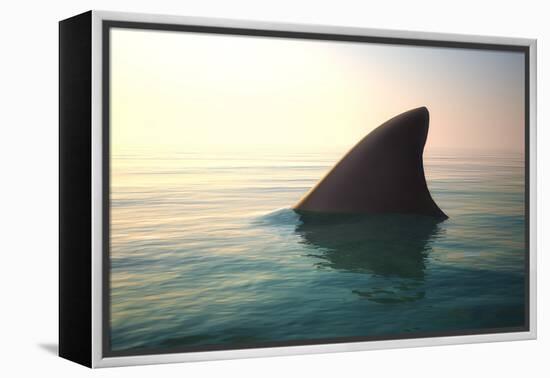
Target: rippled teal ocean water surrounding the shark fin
{"points": [[206, 253]]}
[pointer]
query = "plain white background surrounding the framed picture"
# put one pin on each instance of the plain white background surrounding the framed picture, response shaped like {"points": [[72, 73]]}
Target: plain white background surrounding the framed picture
{"points": [[28, 120]]}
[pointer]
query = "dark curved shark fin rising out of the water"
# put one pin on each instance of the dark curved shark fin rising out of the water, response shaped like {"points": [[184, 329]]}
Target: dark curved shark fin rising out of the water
{"points": [[383, 173]]}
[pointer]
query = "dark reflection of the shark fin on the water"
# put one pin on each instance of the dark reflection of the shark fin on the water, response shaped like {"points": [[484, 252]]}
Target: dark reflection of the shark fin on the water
{"points": [[392, 249]]}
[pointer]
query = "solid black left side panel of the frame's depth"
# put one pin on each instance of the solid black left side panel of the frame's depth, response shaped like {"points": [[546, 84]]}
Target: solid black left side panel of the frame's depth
{"points": [[75, 184]]}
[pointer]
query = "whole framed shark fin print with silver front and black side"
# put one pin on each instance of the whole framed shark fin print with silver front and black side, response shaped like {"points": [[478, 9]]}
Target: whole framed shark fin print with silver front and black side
{"points": [[234, 189]]}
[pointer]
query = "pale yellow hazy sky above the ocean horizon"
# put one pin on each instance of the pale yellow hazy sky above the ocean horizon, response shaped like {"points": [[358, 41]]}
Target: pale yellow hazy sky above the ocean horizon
{"points": [[182, 91]]}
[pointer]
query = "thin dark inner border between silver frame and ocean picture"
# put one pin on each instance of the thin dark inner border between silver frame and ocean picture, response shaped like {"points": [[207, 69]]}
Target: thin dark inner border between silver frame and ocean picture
{"points": [[107, 25]]}
